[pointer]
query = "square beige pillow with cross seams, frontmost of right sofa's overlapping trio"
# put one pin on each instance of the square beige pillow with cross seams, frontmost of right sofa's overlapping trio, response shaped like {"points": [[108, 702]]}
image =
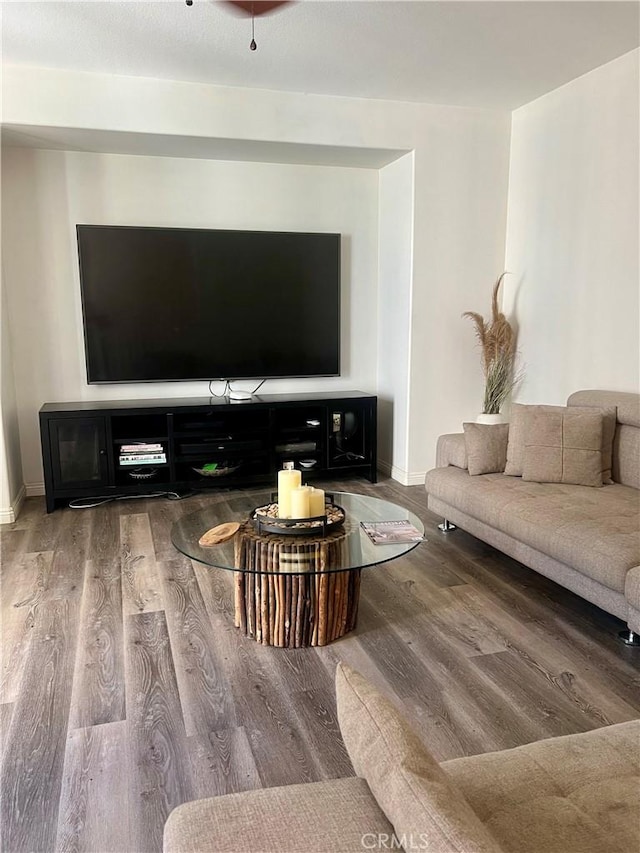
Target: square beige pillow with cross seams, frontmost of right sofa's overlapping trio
{"points": [[564, 447]]}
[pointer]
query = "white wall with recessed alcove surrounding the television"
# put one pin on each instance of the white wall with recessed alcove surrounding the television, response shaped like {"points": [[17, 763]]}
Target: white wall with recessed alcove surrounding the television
{"points": [[404, 183]]}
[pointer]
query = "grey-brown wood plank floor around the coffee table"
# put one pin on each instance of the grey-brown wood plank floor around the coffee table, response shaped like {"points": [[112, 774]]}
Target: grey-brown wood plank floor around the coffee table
{"points": [[126, 689]]}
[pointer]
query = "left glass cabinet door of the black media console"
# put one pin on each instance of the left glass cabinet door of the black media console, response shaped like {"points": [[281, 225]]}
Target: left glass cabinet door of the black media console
{"points": [[78, 452]]}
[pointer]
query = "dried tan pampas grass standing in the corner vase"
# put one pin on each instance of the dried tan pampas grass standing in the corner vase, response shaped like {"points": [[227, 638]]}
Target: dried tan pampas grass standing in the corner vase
{"points": [[498, 344]]}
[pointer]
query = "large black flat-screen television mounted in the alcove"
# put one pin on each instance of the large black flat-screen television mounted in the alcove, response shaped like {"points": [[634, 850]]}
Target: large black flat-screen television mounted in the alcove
{"points": [[163, 304]]}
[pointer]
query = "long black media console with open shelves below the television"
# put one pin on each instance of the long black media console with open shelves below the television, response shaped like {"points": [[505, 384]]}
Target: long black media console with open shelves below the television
{"points": [[81, 442]]}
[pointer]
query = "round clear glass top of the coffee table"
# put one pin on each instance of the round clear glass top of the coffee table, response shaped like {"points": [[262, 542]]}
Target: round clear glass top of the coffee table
{"points": [[250, 551]]}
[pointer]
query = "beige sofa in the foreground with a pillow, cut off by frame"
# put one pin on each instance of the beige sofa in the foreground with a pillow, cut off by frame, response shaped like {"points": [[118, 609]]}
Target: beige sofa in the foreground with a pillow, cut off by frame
{"points": [[571, 794]]}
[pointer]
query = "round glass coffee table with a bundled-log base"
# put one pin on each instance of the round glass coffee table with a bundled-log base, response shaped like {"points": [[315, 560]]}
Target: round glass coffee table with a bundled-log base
{"points": [[294, 591]]}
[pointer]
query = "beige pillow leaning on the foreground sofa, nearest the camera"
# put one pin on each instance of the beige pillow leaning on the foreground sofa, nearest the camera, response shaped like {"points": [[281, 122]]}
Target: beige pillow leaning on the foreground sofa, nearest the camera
{"points": [[411, 788]]}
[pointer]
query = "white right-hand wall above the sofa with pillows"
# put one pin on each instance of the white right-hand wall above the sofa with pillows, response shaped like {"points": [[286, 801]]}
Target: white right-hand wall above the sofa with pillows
{"points": [[572, 235]]}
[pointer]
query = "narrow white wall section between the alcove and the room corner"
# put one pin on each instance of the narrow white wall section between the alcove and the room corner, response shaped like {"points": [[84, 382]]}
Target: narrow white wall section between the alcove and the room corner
{"points": [[459, 252]]}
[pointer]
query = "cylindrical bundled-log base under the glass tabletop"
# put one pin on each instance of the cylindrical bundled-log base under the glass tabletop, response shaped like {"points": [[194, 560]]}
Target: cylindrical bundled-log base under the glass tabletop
{"points": [[305, 604]]}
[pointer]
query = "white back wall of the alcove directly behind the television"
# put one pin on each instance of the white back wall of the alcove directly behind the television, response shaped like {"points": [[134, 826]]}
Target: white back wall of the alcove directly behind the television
{"points": [[49, 192]]}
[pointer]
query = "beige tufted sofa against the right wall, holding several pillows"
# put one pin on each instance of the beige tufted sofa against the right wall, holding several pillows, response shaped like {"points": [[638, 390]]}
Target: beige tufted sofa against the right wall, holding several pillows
{"points": [[587, 539]]}
